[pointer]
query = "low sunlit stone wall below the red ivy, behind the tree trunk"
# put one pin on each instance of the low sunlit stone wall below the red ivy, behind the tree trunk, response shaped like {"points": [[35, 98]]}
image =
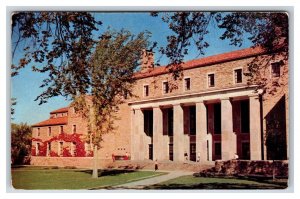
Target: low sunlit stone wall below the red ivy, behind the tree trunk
{"points": [[79, 162]]}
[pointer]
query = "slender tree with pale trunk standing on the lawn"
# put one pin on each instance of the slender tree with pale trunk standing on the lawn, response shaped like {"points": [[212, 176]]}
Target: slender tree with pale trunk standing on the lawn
{"points": [[116, 58]]}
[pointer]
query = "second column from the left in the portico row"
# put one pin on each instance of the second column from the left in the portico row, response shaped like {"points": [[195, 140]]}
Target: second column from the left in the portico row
{"points": [[158, 148]]}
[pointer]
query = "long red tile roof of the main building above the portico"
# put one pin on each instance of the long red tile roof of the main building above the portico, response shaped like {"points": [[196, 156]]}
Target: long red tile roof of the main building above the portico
{"points": [[230, 56]]}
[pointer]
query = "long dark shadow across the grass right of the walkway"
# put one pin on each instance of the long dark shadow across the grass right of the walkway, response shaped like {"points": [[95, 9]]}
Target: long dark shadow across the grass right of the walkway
{"points": [[216, 186]]}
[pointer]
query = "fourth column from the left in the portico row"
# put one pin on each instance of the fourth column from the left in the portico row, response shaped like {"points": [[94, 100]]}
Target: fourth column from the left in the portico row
{"points": [[201, 131]]}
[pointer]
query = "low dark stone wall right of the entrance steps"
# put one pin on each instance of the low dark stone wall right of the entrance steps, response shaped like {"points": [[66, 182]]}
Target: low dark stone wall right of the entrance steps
{"points": [[250, 167]]}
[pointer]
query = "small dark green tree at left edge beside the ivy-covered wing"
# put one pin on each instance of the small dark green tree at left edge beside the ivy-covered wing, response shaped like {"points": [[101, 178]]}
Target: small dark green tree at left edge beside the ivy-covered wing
{"points": [[20, 142]]}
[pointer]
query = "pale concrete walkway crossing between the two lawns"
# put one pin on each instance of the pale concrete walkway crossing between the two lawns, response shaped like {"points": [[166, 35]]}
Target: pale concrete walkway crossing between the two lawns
{"points": [[155, 180]]}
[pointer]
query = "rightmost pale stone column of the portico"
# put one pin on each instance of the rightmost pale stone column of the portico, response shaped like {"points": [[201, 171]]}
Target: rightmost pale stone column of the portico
{"points": [[255, 131]]}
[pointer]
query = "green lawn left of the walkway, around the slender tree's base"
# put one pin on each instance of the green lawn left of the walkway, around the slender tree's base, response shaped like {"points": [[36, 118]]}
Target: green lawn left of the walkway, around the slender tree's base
{"points": [[54, 178]]}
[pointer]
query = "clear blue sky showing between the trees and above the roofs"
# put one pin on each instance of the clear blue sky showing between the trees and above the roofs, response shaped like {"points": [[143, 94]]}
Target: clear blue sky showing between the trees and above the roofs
{"points": [[25, 86]]}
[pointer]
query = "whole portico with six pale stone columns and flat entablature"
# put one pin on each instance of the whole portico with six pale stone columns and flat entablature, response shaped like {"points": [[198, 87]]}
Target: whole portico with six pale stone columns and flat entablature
{"points": [[213, 125]]}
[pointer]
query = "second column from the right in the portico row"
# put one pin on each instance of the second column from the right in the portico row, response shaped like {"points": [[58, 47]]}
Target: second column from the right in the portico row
{"points": [[228, 137]]}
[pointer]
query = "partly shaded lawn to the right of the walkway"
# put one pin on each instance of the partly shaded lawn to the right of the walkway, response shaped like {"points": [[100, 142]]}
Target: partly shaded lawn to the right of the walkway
{"points": [[191, 182]]}
